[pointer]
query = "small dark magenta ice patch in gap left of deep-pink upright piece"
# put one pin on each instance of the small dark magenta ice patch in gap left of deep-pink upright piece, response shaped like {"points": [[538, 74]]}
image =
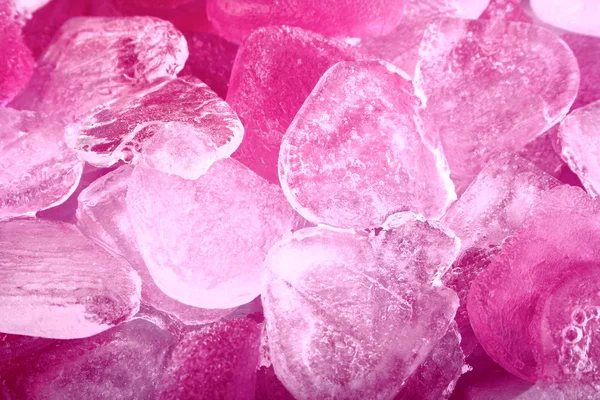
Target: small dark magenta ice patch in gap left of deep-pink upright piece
{"points": [[211, 60]]}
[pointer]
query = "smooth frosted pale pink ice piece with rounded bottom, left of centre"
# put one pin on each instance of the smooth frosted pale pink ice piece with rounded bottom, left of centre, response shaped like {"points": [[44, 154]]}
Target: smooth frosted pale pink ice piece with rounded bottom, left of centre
{"points": [[204, 241]]}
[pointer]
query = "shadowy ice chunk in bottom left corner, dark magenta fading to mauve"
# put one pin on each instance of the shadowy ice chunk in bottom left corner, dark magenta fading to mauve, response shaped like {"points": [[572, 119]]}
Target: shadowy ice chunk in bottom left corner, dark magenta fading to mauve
{"points": [[125, 362]]}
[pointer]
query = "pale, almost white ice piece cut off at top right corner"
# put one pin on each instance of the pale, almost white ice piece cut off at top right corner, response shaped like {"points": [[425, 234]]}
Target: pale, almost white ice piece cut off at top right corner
{"points": [[580, 16]]}
